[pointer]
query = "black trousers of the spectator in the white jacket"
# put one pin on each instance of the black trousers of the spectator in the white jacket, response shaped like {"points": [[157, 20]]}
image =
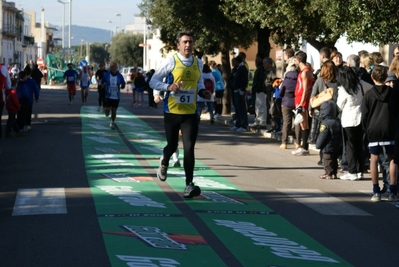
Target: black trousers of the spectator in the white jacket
{"points": [[354, 148]]}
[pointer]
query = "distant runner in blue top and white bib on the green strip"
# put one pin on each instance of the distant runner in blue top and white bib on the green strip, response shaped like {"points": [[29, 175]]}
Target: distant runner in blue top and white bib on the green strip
{"points": [[112, 82]]}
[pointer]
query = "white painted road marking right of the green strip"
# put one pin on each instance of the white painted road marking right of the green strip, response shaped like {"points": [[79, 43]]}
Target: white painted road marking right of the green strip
{"points": [[322, 202]]}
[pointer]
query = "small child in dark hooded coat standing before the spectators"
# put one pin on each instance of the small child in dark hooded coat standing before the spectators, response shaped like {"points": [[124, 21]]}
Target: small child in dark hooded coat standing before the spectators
{"points": [[329, 139]]}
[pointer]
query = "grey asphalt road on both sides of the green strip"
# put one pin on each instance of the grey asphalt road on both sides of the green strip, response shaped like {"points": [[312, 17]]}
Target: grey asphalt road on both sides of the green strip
{"points": [[337, 214]]}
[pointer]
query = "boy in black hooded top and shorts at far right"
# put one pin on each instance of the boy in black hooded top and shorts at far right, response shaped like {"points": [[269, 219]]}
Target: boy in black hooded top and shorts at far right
{"points": [[379, 124]]}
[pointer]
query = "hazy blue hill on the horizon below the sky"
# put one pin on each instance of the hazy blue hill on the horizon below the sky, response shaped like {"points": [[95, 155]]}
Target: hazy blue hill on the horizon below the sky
{"points": [[88, 34]]}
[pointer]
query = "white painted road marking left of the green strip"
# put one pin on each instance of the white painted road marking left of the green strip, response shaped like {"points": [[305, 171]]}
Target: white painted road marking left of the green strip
{"points": [[36, 201]]}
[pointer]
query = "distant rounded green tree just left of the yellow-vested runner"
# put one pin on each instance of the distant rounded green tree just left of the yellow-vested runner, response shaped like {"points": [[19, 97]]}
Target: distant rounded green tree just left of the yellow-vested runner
{"points": [[125, 49]]}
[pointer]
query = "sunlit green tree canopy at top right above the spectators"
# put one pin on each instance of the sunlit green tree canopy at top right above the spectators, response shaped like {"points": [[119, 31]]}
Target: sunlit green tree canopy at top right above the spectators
{"points": [[320, 22]]}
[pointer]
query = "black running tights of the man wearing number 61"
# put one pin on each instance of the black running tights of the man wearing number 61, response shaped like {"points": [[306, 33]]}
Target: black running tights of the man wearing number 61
{"points": [[189, 127]]}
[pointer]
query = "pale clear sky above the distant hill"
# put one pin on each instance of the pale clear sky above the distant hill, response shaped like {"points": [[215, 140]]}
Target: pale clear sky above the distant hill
{"points": [[90, 13]]}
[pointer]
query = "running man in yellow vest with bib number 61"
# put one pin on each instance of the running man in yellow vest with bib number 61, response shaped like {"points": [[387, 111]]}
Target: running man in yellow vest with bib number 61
{"points": [[183, 74]]}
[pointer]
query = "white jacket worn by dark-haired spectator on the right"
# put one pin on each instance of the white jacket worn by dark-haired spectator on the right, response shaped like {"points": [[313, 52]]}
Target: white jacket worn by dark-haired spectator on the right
{"points": [[350, 107]]}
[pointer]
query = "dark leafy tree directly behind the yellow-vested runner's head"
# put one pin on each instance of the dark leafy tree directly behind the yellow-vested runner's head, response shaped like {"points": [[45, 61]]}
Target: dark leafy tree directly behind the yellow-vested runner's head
{"points": [[214, 32]]}
